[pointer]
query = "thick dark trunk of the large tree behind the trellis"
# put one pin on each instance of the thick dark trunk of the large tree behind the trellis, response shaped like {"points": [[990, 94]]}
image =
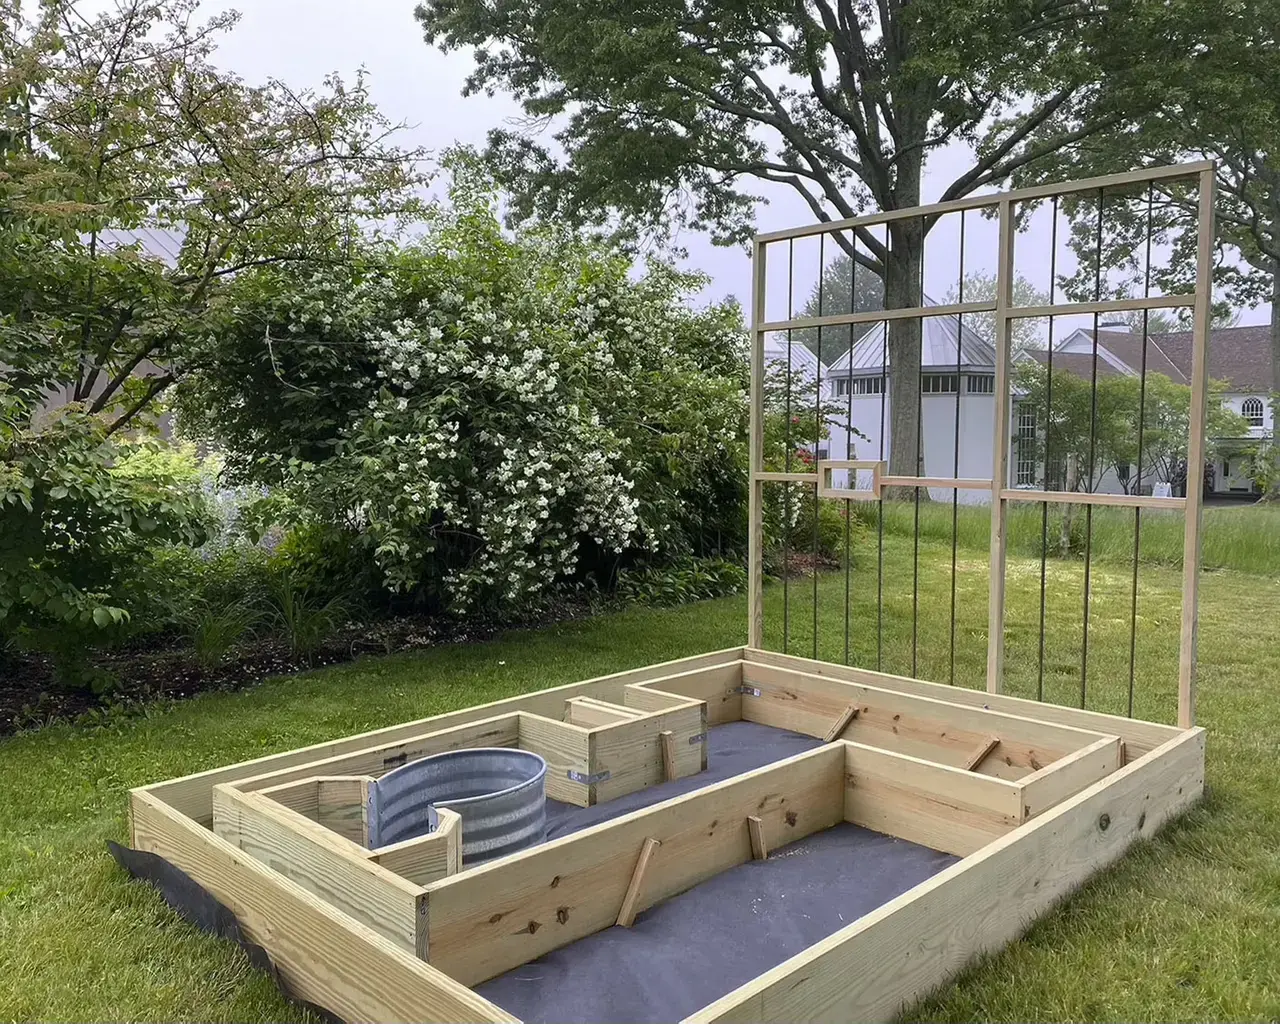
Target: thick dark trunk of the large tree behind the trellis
{"points": [[903, 290]]}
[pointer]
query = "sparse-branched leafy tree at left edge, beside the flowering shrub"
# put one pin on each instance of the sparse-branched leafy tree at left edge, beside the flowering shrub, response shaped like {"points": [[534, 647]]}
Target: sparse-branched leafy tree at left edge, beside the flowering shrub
{"points": [[115, 121]]}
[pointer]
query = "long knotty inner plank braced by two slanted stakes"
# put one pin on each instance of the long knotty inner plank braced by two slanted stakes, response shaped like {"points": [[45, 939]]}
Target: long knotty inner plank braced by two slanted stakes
{"points": [[496, 917]]}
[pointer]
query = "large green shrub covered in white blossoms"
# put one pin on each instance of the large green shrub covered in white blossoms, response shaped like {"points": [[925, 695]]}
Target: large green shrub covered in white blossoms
{"points": [[491, 415]]}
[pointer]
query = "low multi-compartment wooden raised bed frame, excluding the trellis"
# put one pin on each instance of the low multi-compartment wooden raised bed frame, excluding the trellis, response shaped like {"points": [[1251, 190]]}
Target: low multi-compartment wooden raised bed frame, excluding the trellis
{"points": [[403, 934]]}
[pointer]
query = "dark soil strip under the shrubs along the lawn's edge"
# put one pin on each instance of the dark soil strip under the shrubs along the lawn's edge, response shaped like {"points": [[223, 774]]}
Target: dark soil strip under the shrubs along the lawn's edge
{"points": [[163, 669]]}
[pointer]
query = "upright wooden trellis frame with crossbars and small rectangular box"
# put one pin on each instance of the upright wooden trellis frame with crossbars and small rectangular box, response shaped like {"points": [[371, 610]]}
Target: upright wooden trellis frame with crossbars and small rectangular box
{"points": [[1005, 314]]}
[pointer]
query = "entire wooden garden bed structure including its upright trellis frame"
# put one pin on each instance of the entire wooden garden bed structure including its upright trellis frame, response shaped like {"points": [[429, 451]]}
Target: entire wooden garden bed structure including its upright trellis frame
{"points": [[1035, 798]]}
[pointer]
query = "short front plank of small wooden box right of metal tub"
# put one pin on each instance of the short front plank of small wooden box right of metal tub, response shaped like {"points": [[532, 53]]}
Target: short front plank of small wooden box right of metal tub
{"points": [[632, 752]]}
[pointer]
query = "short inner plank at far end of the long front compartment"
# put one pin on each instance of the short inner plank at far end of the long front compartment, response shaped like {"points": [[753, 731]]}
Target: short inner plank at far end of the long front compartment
{"points": [[936, 806]]}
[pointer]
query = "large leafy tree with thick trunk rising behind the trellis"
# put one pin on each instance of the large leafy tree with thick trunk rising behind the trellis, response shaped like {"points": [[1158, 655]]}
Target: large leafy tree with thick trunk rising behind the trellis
{"points": [[666, 116]]}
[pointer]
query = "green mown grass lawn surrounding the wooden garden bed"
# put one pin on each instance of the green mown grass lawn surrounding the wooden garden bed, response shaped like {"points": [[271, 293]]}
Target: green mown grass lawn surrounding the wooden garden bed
{"points": [[1186, 929]]}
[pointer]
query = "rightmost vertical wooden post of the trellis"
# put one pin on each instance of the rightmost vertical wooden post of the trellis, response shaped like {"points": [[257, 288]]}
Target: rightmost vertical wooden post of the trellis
{"points": [[1196, 452]]}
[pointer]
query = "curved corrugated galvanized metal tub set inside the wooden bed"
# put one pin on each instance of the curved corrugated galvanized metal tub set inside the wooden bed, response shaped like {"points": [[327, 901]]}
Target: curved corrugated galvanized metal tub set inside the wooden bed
{"points": [[500, 794]]}
